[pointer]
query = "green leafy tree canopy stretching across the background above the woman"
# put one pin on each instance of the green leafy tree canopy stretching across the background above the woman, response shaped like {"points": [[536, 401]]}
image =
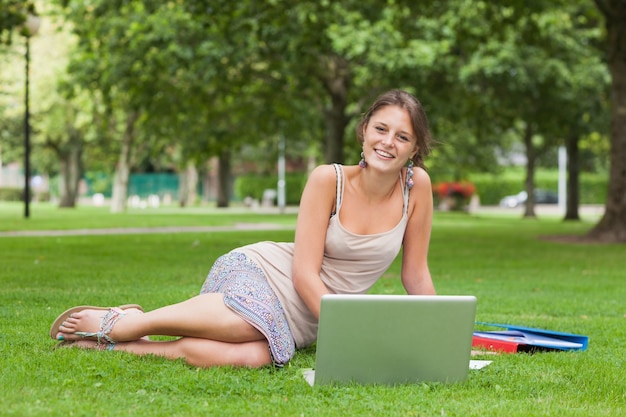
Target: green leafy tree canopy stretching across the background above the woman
{"points": [[205, 75]]}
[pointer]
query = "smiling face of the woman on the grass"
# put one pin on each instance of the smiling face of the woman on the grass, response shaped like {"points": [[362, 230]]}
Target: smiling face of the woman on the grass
{"points": [[388, 138]]}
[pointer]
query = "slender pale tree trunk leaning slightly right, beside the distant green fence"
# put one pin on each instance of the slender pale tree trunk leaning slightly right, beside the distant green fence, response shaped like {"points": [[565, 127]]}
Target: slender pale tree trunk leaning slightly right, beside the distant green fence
{"points": [[122, 170]]}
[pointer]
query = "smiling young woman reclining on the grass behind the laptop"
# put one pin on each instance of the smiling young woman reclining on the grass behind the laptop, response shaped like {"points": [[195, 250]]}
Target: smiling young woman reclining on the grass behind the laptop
{"points": [[261, 302]]}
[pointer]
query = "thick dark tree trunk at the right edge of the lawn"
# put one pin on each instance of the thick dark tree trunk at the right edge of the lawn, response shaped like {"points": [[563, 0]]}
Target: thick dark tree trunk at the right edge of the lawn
{"points": [[612, 225]]}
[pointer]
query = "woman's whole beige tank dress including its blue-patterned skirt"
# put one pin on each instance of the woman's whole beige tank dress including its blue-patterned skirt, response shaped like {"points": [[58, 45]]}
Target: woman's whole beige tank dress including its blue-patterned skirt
{"points": [[257, 285]]}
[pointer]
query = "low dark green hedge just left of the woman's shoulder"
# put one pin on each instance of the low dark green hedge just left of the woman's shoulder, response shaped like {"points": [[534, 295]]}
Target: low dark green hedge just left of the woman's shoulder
{"points": [[254, 186]]}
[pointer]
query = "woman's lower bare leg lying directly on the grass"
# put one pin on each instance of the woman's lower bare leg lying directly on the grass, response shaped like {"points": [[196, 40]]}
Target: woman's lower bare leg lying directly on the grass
{"points": [[197, 352]]}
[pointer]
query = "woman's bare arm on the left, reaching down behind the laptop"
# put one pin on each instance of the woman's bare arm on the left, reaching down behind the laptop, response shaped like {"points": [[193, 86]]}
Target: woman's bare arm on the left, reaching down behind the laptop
{"points": [[316, 205]]}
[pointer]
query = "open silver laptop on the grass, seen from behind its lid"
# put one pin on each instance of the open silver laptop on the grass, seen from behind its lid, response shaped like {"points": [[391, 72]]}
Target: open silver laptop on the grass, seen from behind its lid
{"points": [[393, 339]]}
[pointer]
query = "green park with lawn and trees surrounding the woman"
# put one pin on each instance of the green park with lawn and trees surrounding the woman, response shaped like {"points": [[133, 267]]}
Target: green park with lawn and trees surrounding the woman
{"points": [[232, 104]]}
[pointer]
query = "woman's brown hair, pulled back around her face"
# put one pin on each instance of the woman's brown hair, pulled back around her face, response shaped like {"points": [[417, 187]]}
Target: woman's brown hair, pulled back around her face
{"points": [[416, 112]]}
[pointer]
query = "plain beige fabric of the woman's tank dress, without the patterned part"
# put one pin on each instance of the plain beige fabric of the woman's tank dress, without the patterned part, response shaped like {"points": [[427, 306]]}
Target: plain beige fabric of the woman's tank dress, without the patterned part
{"points": [[352, 263]]}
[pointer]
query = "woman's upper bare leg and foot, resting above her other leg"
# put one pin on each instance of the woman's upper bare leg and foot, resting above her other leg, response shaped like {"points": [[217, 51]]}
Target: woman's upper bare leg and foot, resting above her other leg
{"points": [[204, 316]]}
